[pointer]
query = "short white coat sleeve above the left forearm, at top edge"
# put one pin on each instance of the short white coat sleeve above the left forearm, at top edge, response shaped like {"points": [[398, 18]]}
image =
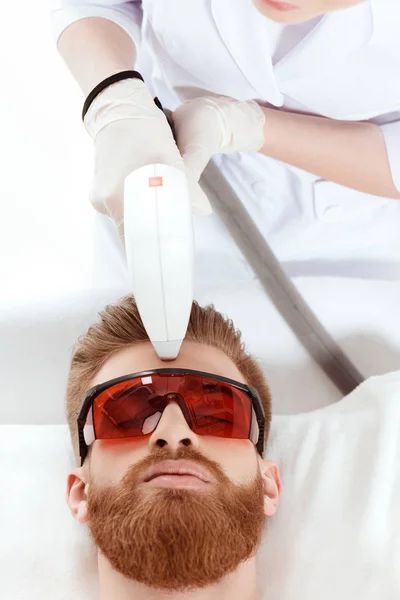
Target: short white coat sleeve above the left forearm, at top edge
{"points": [[127, 15]]}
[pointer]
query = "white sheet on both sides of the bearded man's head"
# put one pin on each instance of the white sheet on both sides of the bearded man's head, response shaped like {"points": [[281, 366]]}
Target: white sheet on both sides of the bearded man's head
{"points": [[336, 534]]}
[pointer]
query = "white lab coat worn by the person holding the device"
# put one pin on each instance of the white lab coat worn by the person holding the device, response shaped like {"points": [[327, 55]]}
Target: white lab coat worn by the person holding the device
{"points": [[340, 246]]}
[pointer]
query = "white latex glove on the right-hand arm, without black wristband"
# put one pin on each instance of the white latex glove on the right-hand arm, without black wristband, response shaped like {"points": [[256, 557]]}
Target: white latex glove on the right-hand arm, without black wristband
{"points": [[217, 125]]}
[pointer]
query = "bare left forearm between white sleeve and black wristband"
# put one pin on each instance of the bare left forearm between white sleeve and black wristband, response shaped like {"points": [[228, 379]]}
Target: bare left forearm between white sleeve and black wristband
{"points": [[95, 48]]}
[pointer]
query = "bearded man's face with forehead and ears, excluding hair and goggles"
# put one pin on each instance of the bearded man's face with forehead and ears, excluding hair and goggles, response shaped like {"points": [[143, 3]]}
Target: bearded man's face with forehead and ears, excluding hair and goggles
{"points": [[175, 532]]}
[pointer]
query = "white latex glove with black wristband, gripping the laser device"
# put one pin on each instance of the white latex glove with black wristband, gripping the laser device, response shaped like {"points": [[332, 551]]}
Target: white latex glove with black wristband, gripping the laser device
{"points": [[130, 131]]}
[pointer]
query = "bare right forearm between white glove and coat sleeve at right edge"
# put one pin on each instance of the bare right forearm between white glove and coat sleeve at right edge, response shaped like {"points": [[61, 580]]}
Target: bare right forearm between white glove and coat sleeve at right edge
{"points": [[349, 153]]}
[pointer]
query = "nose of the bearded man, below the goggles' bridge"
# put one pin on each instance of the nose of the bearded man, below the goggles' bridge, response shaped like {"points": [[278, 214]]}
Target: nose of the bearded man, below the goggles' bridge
{"points": [[172, 430]]}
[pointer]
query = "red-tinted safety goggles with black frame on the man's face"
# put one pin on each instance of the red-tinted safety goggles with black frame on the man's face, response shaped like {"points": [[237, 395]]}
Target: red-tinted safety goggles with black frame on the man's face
{"points": [[131, 406]]}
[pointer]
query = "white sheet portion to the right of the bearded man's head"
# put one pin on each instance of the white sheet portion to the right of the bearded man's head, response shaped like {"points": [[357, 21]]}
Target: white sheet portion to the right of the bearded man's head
{"points": [[337, 532]]}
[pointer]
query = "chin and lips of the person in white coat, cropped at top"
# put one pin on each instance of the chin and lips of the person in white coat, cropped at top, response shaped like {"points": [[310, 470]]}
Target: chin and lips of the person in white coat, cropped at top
{"points": [[298, 11]]}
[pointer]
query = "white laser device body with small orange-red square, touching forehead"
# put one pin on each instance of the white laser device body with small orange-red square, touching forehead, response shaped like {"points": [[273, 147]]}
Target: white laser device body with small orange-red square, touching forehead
{"points": [[159, 245]]}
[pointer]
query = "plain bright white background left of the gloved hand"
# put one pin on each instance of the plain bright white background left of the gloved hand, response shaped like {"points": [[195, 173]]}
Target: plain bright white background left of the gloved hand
{"points": [[45, 161]]}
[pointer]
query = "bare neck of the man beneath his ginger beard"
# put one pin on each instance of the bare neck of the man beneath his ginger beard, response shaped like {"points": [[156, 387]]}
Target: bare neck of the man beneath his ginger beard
{"points": [[240, 585]]}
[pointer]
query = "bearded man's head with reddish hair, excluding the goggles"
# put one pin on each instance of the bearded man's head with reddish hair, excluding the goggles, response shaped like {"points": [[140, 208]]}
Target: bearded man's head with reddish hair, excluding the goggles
{"points": [[173, 532]]}
